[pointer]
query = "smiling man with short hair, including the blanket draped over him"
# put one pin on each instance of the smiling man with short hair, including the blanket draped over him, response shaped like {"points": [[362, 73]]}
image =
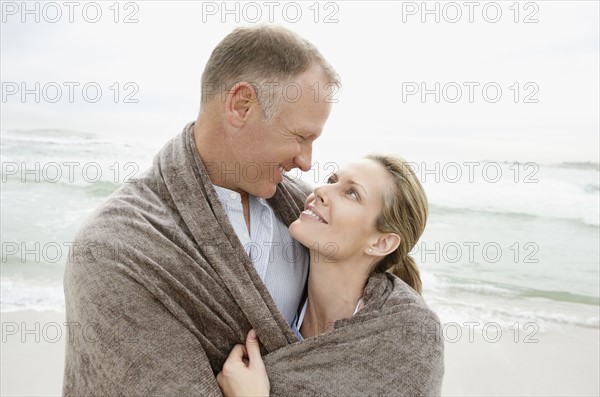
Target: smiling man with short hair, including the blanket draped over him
{"points": [[175, 268]]}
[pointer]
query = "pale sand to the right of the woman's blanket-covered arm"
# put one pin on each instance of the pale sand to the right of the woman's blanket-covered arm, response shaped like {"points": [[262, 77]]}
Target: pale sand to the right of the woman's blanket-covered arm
{"points": [[564, 362]]}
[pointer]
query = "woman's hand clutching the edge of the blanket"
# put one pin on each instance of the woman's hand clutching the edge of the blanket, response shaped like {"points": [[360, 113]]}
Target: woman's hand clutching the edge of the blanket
{"points": [[244, 372]]}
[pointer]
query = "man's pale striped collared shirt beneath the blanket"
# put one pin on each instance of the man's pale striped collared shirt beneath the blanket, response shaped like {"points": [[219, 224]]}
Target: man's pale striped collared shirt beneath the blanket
{"points": [[280, 261]]}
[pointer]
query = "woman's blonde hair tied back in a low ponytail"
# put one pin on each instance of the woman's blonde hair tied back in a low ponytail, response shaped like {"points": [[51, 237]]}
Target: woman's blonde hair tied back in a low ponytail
{"points": [[404, 212]]}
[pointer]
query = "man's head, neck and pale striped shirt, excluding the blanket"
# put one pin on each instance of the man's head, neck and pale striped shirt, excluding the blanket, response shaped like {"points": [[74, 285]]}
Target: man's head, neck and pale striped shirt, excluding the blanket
{"points": [[248, 133]]}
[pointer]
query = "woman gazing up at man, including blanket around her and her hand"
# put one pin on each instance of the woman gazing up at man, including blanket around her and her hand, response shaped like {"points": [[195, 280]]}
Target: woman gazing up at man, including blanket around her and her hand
{"points": [[359, 226]]}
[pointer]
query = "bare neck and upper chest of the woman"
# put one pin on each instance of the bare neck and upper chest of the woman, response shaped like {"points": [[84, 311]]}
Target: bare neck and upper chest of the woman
{"points": [[334, 290]]}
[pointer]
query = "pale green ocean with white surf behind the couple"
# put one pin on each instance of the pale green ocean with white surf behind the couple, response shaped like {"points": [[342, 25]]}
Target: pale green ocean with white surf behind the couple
{"points": [[510, 244]]}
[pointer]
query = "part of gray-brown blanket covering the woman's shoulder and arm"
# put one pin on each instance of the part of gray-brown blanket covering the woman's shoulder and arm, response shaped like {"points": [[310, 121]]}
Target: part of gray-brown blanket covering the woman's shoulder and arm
{"points": [[392, 347]]}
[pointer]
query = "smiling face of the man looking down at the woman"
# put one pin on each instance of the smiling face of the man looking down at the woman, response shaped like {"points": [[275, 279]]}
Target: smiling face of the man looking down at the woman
{"points": [[267, 149]]}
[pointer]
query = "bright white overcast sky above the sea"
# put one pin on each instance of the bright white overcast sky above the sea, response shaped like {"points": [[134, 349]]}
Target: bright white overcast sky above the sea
{"points": [[382, 50]]}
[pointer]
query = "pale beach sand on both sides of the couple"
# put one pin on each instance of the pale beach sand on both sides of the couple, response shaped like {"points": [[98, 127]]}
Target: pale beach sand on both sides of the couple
{"points": [[563, 362]]}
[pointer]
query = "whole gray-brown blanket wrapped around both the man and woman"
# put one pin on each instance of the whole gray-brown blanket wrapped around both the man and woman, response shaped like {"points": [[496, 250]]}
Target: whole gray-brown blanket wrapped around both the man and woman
{"points": [[159, 289]]}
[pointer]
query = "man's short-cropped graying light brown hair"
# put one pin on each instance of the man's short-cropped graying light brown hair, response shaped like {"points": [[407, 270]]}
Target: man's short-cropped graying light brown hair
{"points": [[264, 56]]}
